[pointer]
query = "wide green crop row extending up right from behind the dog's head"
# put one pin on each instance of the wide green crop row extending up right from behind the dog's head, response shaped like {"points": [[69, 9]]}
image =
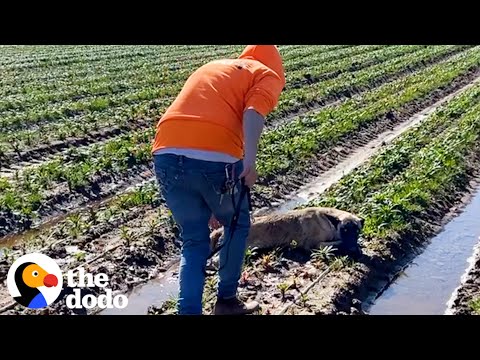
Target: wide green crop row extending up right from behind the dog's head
{"points": [[401, 183]]}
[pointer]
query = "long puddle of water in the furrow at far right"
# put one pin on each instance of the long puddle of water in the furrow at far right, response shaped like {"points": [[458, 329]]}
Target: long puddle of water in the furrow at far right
{"points": [[427, 284]]}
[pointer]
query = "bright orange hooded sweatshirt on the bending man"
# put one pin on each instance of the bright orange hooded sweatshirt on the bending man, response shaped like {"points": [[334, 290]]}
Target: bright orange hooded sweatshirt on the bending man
{"points": [[208, 112]]}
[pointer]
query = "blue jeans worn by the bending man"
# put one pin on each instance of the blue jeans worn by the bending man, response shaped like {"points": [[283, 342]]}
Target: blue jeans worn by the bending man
{"points": [[192, 191]]}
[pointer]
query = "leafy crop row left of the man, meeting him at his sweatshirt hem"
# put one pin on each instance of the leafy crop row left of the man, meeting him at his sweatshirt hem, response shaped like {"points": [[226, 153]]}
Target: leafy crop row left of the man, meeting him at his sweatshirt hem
{"points": [[27, 195]]}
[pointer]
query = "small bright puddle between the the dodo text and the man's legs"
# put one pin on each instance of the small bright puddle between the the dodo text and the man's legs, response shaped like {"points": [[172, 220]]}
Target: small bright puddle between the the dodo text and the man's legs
{"points": [[155, 292]]}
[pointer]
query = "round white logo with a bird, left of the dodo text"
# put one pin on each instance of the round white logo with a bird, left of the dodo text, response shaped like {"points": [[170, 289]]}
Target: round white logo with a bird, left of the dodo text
{"points": [[35, 281]]}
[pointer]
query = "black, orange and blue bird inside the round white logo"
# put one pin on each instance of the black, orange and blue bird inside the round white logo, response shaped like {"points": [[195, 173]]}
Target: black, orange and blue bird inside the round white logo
{"points": [[29, 277]]}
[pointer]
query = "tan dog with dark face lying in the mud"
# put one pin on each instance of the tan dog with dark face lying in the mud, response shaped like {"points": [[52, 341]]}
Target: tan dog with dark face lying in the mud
{"points": [[311, 228]]}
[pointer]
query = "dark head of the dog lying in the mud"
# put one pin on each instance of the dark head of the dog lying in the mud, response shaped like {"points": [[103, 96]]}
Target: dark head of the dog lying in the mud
{"points": [[348, 231]]}
